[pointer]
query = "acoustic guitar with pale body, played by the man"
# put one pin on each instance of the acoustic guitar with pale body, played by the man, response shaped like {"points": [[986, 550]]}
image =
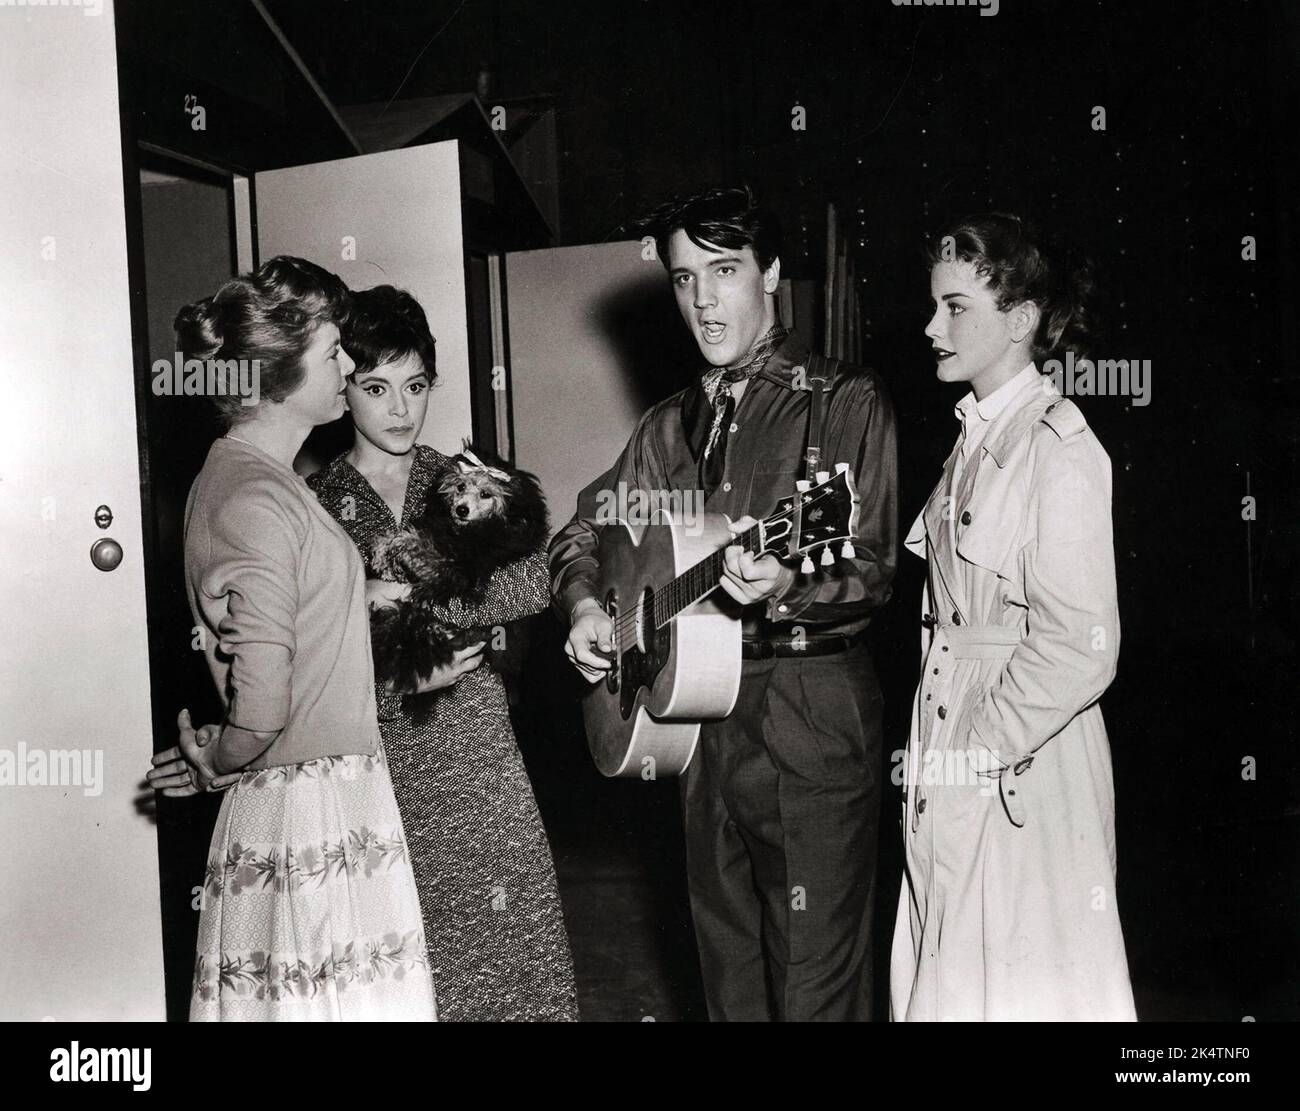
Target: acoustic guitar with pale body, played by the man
{"points": [[677, 657]]}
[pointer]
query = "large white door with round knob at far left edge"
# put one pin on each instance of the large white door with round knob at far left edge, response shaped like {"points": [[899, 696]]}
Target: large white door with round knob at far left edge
{"points": [[80, 928]]}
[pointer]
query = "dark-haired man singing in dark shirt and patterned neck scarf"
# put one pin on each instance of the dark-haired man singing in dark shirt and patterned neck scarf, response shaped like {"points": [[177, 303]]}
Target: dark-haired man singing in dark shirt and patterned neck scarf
{"points": [[782, 796]]}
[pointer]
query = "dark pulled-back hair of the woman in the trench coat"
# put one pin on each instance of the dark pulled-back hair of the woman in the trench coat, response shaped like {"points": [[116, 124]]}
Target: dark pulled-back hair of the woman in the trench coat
{"points": [[1024, 266]]}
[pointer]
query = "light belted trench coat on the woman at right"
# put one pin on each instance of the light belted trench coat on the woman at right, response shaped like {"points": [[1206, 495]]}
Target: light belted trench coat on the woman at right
{"points": [[1008, 909]]}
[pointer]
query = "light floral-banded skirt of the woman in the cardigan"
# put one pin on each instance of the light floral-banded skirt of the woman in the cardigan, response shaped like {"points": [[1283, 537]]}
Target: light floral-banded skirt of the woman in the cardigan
{"points": [[310, 910]]}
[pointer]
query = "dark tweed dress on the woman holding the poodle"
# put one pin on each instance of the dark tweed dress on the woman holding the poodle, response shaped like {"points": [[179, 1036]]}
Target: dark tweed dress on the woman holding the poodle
{"points": [[492, 912]]}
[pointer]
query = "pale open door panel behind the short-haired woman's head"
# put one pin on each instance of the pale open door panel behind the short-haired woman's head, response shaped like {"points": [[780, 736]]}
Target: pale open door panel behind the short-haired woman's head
{"points": [[385, 219]]}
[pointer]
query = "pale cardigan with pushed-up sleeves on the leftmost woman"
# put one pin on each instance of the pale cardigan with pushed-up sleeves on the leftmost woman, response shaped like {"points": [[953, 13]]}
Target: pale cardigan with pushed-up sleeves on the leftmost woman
{"points": [[272, 576]]}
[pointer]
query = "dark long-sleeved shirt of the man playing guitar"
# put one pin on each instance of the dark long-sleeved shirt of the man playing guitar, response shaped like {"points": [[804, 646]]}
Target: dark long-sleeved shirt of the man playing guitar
{"points": [[765, 457]]}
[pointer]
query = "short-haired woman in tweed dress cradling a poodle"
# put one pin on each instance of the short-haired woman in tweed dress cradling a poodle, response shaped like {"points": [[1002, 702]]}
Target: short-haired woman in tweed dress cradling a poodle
{"points": [[492, 910]]}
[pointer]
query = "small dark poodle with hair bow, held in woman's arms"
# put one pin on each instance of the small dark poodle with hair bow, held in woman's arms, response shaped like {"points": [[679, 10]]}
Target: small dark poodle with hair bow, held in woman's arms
{"points": [[478, 519]]}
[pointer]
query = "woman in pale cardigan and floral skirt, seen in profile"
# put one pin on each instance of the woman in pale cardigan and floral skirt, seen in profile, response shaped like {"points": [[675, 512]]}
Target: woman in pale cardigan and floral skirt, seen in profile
{"points": [[310, 909]]}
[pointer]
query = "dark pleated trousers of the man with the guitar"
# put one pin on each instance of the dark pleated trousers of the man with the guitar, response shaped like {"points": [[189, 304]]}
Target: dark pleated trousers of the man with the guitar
{"points": [[782, 808]]}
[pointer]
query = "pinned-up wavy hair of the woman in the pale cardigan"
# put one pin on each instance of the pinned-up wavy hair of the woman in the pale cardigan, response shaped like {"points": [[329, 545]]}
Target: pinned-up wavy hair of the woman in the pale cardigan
{"points": [[271, 315]]}
